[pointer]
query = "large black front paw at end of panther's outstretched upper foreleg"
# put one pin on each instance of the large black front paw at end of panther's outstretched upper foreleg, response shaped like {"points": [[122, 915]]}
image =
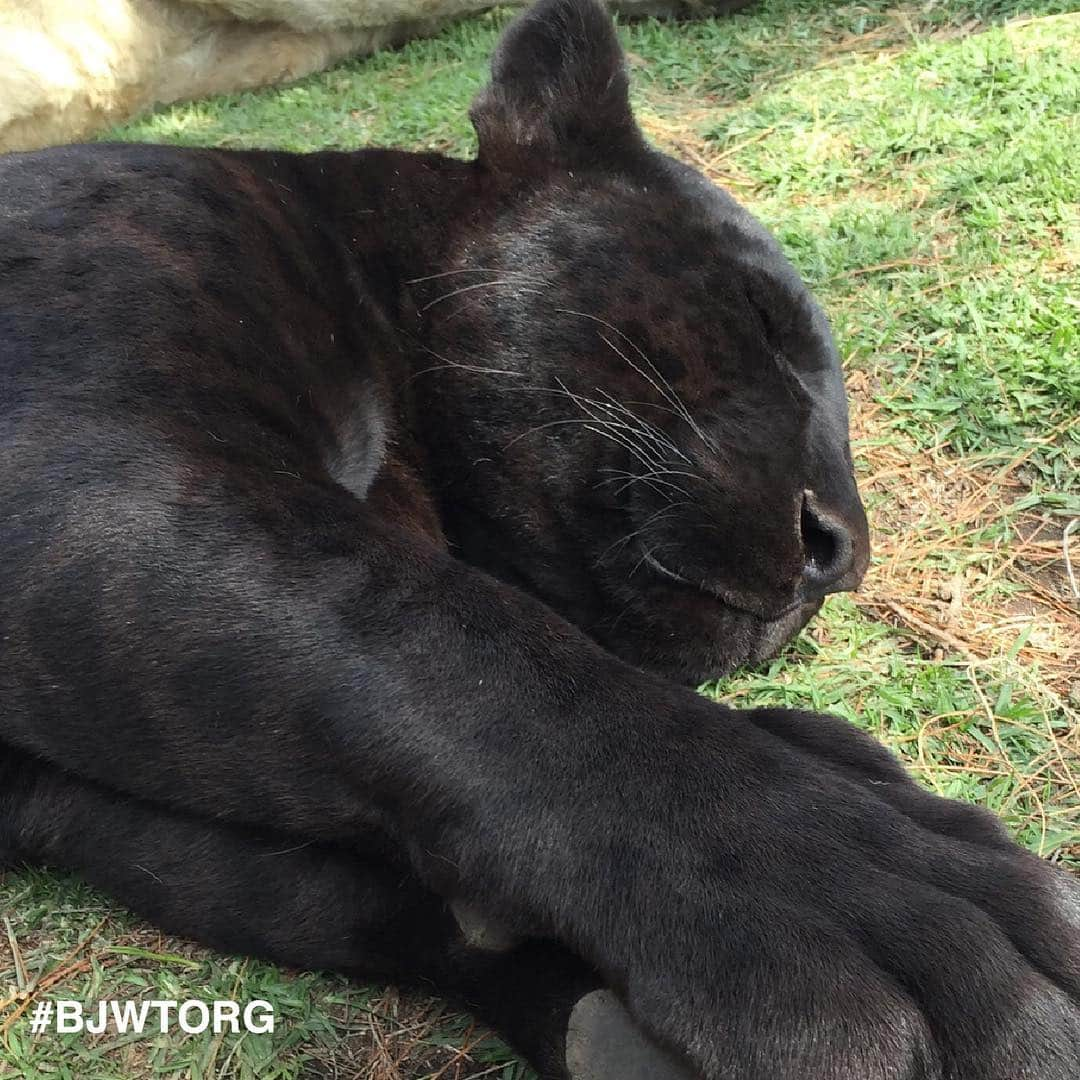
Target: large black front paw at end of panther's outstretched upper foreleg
{"points": [[826, 919]]}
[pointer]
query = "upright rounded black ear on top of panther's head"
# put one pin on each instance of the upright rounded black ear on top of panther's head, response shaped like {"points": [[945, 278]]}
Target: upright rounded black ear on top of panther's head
{"points": [[559, 89]]}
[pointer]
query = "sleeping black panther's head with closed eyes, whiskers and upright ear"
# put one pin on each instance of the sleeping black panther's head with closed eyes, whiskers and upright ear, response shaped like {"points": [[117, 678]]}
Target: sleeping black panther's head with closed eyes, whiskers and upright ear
{"points": [[637, 409]]}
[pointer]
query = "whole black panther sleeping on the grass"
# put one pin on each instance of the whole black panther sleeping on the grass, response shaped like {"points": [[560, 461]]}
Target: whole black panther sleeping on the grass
{"points": [[362, 516]]}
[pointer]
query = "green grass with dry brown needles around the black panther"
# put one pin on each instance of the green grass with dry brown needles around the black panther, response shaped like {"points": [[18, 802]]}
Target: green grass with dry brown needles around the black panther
{"points": [[922, 166]]}
